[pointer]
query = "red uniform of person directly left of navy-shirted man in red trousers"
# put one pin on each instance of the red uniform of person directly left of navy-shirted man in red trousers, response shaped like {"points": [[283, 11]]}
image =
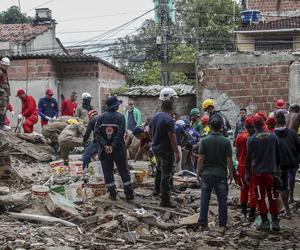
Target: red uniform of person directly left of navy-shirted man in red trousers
{"points": [[241, 145]]}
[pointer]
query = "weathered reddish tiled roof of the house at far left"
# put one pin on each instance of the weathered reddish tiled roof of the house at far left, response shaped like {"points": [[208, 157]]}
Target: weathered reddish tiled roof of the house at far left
{"points": [[21, 32]]}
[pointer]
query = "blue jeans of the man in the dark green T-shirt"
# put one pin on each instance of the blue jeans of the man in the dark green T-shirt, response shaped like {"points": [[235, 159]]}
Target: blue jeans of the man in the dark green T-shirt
{"points": [[219, 184]]}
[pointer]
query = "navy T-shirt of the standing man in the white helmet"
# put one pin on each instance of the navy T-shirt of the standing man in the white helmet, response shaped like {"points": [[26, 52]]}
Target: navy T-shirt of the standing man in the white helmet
{"points": [[161, 124]]}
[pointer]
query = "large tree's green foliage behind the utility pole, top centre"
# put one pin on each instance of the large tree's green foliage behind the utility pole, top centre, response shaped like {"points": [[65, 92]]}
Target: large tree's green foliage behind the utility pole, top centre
{"points": [[201, 25]]}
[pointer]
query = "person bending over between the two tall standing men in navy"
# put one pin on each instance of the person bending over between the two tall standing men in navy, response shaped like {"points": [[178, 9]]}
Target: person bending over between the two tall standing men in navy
{"points": [[145, 142]]}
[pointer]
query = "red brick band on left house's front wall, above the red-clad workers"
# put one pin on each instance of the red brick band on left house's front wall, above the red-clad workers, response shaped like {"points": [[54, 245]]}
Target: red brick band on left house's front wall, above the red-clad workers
{"points": [[37, 68]]}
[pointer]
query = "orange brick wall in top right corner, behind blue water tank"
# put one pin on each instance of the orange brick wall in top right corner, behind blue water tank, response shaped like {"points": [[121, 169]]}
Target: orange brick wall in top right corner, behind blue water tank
{"points": [[274, 5]]}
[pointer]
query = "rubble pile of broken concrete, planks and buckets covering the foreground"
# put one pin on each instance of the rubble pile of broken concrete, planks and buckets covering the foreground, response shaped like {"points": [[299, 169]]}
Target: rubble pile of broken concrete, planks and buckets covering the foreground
{"points": [[44, 206]]}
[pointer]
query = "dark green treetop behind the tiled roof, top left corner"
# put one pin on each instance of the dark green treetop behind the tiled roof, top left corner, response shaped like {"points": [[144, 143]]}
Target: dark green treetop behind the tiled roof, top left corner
{"points": [[13, 15]]}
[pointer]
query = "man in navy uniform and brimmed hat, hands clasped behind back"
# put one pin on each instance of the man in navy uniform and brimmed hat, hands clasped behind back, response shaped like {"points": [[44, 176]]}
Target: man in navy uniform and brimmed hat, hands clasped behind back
{"points": [[109, 133]]}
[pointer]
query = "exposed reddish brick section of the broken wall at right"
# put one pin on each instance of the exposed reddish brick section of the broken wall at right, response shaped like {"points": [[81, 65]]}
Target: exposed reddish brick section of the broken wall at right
{"points": [[253, 85]]}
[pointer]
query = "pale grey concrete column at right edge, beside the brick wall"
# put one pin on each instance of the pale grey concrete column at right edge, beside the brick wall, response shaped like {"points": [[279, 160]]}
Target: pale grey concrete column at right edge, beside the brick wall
{"points": [[294, 83]]}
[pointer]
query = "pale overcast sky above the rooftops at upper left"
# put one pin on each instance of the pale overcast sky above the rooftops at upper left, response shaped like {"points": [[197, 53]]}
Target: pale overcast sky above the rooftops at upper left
{"points": [[91, 15]]}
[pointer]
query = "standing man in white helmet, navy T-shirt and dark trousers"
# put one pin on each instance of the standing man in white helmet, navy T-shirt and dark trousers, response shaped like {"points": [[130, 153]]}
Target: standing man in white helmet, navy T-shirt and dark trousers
{"points": [[164, 146]]}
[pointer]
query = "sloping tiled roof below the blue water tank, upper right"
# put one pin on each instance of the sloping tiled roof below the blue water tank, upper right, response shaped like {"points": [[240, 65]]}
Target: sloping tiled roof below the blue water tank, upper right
{"points": [[281, 24]]}
